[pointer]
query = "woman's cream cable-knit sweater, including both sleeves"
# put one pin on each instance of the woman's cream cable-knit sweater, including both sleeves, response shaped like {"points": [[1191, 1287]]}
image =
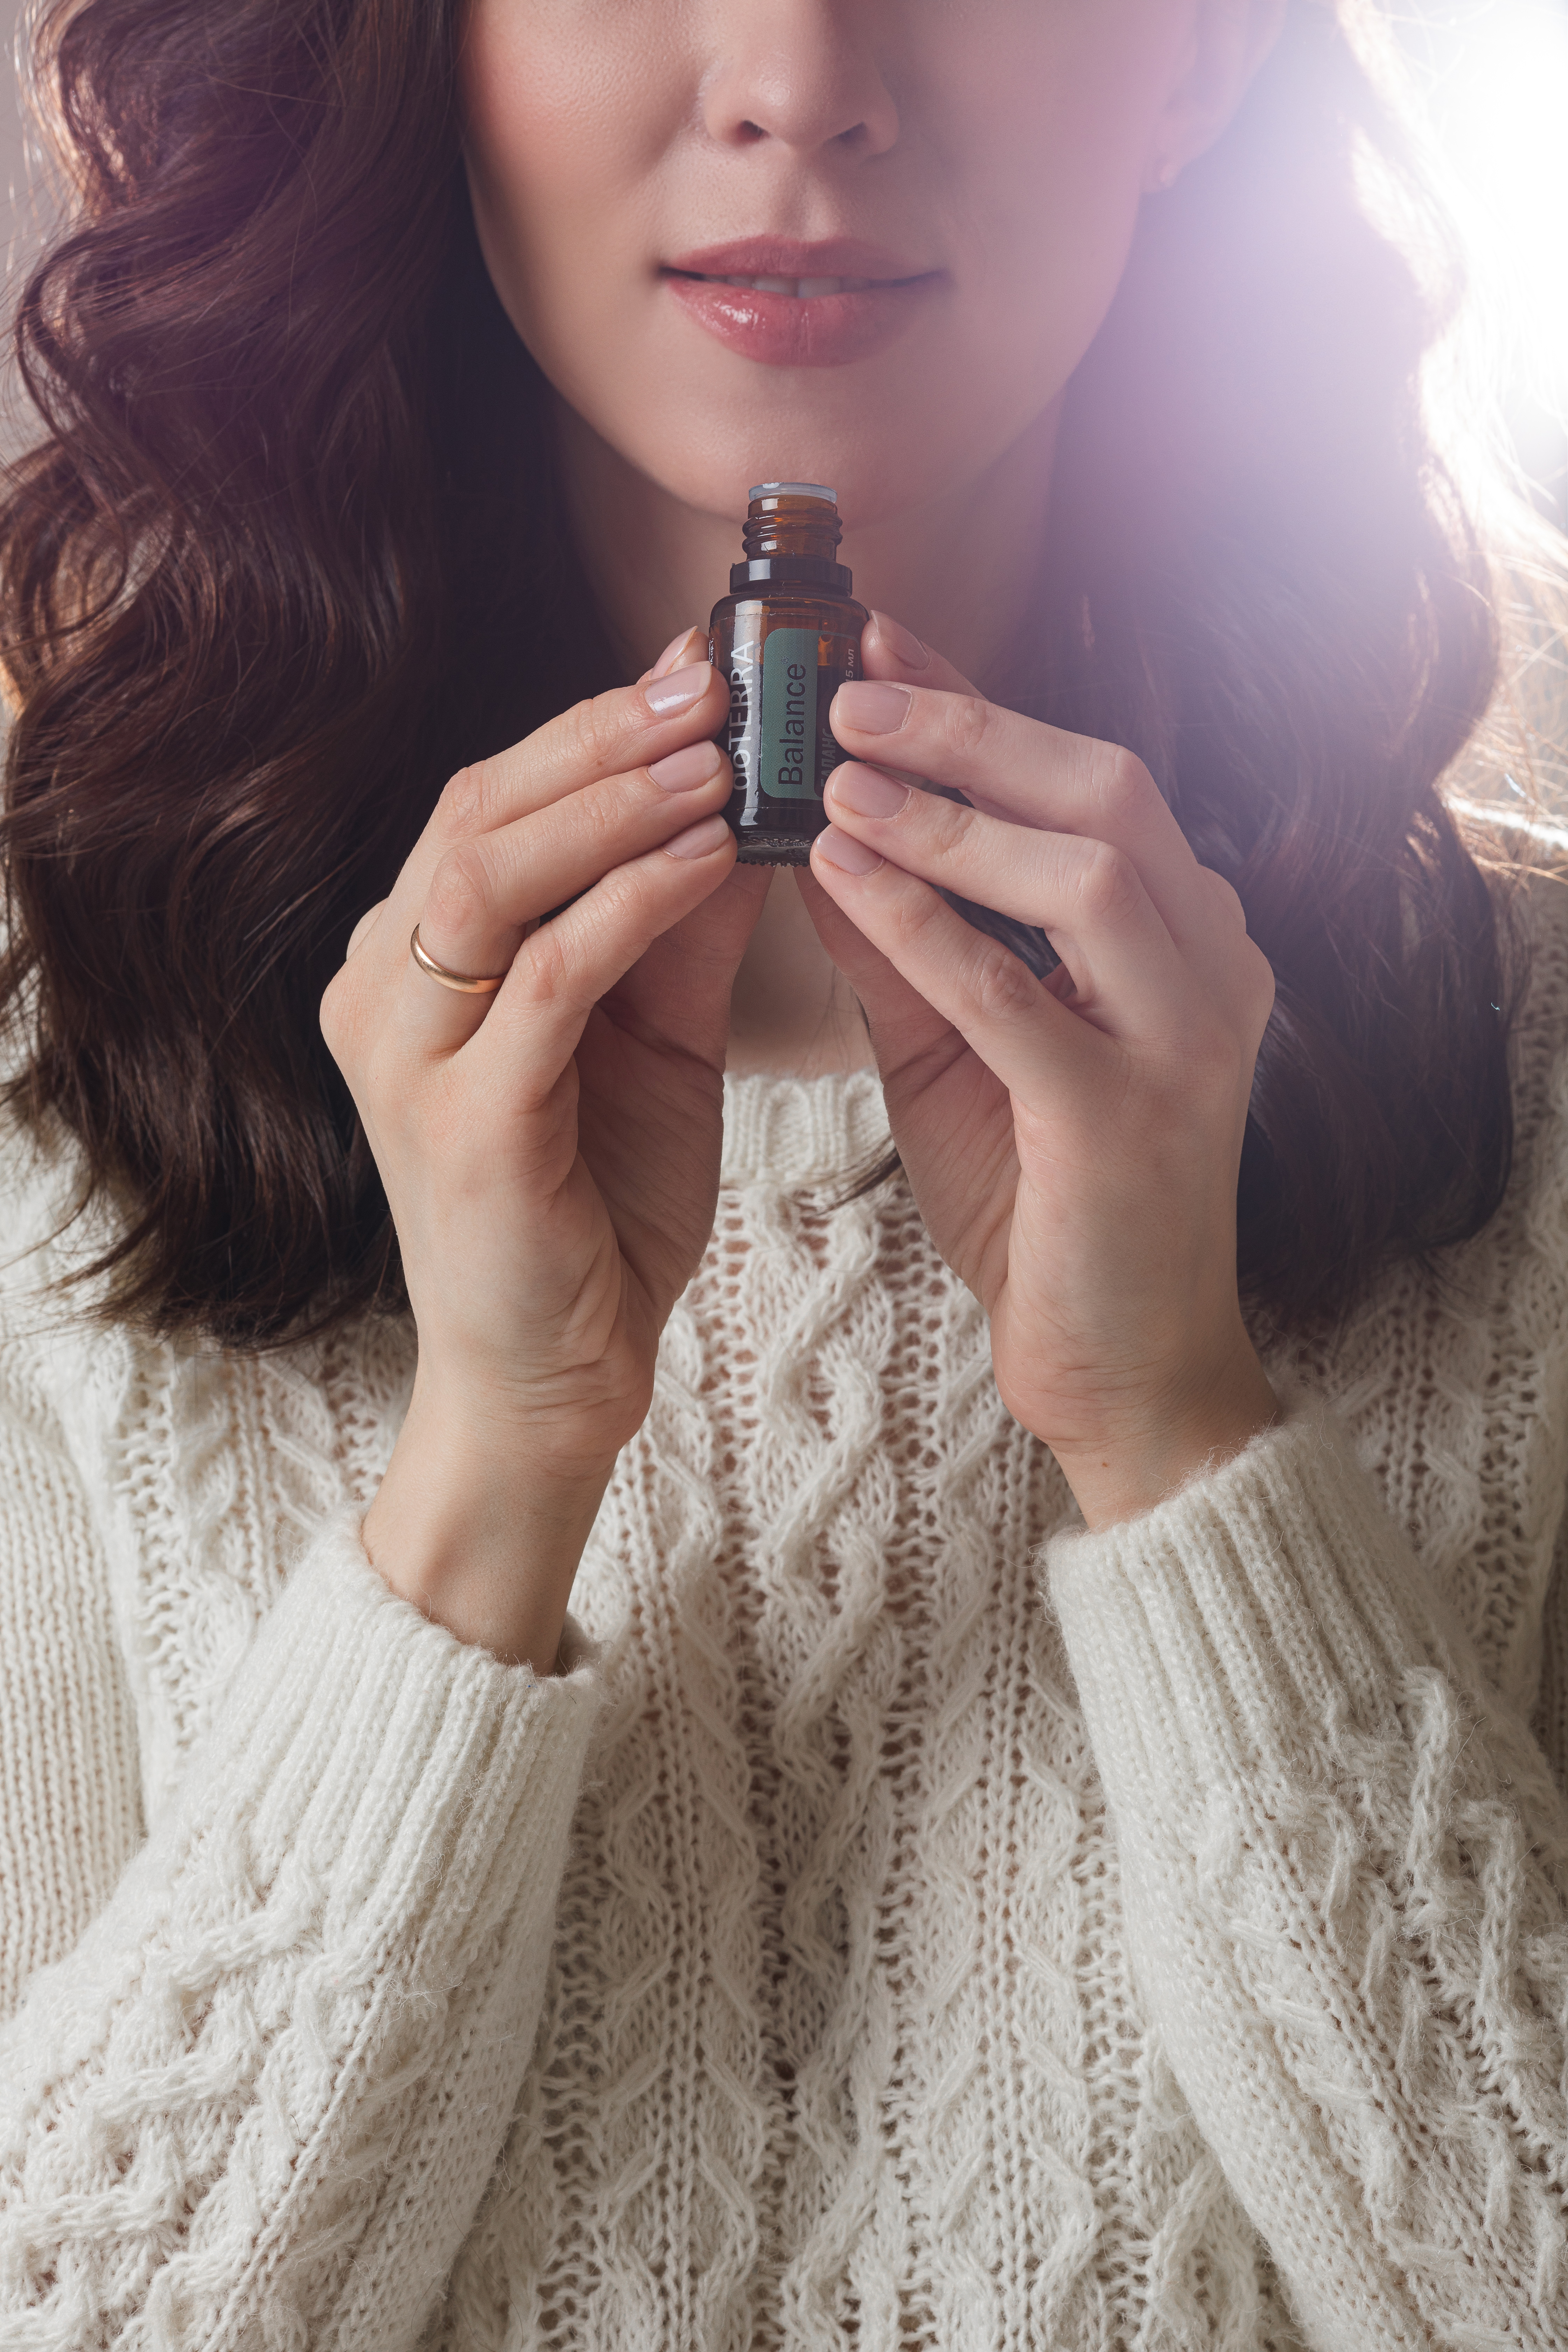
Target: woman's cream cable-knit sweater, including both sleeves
{"points": [[904, 1923]]}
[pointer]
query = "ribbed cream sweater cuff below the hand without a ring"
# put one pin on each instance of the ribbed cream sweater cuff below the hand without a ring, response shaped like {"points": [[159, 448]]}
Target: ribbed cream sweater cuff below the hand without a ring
{"points": [[1252, 1617]]}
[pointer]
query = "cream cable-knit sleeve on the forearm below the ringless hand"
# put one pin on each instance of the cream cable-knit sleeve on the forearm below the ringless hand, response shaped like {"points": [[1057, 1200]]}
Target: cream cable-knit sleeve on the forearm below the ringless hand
{"points": [[1348, 1892]]}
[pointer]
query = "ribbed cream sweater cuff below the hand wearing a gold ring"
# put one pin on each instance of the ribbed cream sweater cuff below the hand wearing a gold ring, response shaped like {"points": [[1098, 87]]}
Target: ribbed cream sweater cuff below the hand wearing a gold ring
{"points": [[394, 1782]]}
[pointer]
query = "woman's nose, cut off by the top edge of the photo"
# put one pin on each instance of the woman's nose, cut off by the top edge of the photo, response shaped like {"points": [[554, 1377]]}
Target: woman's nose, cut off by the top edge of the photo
{"points": [[798, 72]]}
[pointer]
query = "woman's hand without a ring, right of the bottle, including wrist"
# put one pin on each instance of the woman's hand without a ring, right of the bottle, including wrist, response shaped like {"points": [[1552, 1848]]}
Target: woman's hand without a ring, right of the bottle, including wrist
{"points": [[1073, 1144]]}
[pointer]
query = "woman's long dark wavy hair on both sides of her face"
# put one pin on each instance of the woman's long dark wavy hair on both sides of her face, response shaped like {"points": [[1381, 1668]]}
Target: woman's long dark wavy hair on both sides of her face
{"points": [[290, 552]]}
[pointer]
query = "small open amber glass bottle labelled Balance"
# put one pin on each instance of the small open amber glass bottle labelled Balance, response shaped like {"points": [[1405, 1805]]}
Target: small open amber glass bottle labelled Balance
{"points": [[786, 636]]}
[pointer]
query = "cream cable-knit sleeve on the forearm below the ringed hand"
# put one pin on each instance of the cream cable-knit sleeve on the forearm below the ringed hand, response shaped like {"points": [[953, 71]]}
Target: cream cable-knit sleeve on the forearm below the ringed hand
{"points": [[311, 1996]]}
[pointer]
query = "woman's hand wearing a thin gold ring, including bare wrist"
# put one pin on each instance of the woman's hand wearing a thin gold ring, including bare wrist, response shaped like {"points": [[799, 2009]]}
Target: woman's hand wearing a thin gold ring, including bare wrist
{"points": [[551, 1151]]}
